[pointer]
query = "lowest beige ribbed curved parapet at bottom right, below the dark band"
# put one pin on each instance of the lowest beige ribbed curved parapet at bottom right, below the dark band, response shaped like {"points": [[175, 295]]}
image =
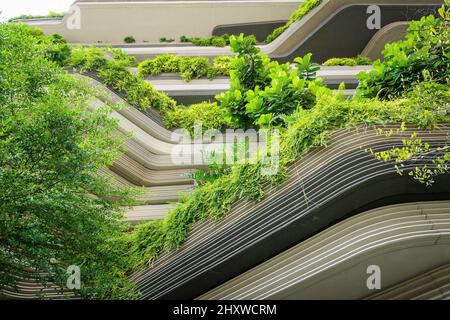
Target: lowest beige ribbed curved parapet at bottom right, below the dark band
{"points": [[387, 239]]}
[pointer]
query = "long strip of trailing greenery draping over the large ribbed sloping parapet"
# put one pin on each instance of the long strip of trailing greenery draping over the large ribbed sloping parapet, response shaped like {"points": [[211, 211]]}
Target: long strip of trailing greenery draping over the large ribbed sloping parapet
{"points": [[306, 129]]}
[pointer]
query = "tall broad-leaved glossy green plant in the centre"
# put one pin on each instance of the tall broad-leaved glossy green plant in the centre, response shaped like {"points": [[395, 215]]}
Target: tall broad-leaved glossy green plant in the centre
{"points": [[263, 91]]}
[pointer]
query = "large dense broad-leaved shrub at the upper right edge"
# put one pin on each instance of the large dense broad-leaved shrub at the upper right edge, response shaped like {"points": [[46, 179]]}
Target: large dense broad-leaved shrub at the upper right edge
{"points": [[424, 53]]}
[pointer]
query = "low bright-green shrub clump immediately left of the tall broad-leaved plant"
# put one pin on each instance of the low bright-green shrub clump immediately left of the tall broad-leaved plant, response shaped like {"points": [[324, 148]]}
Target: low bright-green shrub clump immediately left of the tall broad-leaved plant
{"points": [[208, 114]]}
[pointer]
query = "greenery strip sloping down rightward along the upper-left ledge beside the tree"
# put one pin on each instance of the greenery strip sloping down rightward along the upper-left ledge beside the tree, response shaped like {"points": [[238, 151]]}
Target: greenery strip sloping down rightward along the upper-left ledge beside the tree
{"points": [[115, 74]]}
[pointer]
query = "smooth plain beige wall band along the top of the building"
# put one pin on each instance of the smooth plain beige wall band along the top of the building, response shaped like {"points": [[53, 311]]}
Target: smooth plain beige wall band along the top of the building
{"points": [[147, 21]]}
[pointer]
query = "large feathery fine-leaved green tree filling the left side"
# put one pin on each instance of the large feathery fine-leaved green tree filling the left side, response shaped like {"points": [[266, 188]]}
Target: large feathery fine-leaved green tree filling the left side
{"points": [[56, 210]]}
